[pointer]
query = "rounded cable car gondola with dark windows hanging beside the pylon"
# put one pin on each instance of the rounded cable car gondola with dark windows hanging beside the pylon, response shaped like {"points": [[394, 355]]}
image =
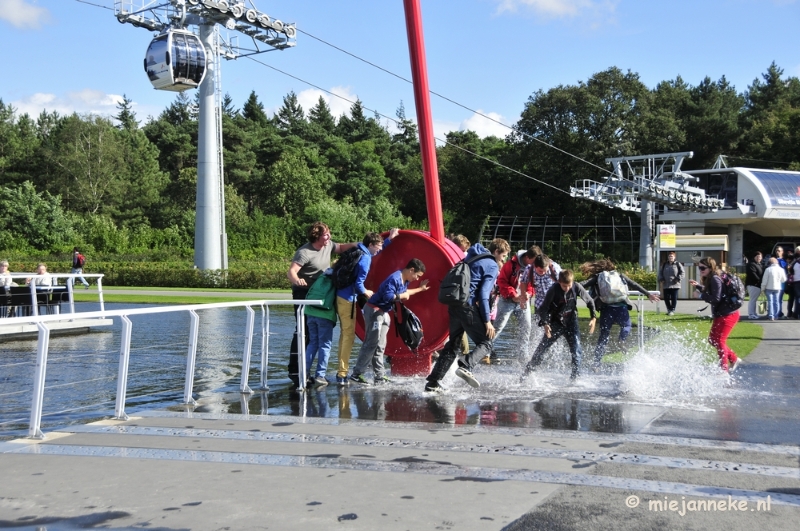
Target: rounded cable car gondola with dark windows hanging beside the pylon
{"points": [[175, 60]]}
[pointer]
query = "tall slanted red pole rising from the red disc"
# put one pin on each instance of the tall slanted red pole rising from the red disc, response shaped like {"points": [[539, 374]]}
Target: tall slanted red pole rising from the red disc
{"points": [[419, 73]]}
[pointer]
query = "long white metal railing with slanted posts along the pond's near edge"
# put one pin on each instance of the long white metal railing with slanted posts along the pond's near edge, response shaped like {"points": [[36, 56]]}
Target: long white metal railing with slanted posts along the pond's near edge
{"points": [[43, 343]]}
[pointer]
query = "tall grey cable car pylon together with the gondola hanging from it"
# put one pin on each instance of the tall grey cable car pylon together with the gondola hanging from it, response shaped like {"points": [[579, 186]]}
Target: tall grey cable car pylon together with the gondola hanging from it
{"points": [[186, 55]]}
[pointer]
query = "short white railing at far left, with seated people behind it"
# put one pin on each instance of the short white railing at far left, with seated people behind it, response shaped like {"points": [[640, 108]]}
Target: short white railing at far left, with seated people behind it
{"points": [[49, 291]]}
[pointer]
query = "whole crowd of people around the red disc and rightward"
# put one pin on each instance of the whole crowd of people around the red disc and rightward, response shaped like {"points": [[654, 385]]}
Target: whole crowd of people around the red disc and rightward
{"points": [[530, 287]]}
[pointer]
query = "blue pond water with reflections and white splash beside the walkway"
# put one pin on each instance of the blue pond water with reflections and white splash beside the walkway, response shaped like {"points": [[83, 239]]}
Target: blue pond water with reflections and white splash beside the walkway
{"points": [[670, 383]]}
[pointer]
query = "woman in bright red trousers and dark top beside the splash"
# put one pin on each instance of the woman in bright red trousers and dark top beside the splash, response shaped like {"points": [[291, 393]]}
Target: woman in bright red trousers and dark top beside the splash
{"points": [[725, 314]]}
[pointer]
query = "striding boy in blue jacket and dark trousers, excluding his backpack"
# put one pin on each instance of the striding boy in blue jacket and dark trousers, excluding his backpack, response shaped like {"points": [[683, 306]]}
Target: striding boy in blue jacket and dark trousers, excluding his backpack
{"points": [[471, 318]]}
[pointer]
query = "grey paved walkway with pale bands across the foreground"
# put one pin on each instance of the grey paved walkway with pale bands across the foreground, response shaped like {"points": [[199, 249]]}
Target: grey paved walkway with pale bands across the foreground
{"points": [[170, 470]]}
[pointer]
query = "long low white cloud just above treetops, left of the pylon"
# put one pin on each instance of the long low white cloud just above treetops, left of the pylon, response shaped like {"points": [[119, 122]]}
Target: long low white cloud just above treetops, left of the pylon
{"points": [[86, 101]]}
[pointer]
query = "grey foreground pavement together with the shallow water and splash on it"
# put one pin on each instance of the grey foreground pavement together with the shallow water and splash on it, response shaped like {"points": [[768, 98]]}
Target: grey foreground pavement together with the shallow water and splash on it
{"points": [[661, 442]]}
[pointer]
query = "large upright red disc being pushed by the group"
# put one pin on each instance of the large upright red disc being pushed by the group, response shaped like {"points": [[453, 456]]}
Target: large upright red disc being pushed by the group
{"points": [[438, 259]]}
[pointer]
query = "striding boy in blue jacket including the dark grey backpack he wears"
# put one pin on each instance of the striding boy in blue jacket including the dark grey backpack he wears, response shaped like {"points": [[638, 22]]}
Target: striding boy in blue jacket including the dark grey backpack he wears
{"points": [[466, 290]]}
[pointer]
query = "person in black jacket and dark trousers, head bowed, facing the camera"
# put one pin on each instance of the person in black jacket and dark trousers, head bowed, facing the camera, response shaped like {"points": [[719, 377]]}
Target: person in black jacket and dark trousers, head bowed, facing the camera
{"points": [[559, 317]]}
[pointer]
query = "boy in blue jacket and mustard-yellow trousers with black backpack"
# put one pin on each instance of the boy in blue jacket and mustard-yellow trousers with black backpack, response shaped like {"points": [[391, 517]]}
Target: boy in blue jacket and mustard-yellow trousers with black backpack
{"points": [[349, 274]]}
